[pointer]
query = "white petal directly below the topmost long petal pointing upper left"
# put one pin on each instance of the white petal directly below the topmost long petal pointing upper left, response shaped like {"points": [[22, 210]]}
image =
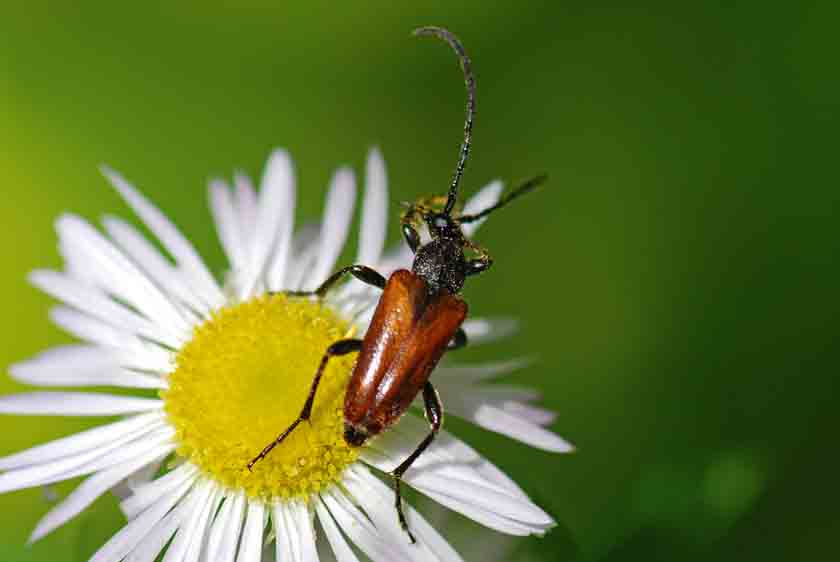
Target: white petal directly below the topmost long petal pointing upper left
{"points": [[159, 269]]}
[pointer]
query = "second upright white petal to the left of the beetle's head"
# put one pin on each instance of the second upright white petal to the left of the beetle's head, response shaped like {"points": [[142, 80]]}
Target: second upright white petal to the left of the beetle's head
{"points": [[335, 224]]}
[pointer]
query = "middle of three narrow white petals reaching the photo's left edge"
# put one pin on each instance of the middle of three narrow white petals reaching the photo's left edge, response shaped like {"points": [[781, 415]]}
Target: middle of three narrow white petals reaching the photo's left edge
{"points": [[80, 442]]}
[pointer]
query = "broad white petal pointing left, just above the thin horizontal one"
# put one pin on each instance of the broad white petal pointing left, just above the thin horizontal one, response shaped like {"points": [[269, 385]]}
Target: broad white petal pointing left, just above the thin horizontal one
{"points": [[80, 366]]}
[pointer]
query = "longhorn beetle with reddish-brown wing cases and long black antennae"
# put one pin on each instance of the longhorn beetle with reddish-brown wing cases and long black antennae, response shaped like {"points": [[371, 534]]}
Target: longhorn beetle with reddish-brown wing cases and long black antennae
{"points": [[419, 314]]}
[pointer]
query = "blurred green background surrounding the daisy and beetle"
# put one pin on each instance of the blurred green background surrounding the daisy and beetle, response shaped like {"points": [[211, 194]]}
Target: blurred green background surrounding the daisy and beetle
{"points": [[676, 278]]}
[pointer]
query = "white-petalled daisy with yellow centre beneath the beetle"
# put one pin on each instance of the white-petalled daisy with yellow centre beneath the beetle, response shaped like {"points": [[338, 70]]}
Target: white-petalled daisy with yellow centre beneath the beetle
{"points": [[231, 364]]}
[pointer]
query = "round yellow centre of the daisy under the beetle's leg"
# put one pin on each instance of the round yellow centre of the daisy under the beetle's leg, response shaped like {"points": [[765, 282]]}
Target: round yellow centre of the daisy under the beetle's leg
{"points": [[243, 379]]}
